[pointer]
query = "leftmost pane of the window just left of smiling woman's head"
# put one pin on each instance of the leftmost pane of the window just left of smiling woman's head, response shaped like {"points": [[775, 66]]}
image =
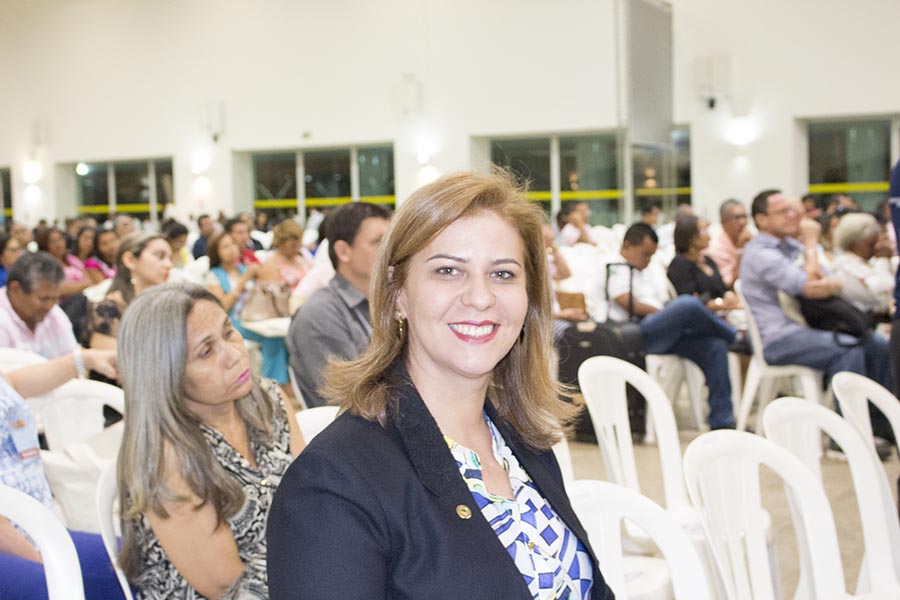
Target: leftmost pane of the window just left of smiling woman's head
{"points": [[275, 184]]}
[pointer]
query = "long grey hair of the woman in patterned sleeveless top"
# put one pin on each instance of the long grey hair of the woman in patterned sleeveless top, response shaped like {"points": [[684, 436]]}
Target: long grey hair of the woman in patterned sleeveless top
{"points": [[152, 356]]}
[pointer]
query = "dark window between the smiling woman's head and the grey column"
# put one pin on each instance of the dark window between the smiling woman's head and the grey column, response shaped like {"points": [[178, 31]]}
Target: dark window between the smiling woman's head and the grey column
{"points": [[588, 170]]}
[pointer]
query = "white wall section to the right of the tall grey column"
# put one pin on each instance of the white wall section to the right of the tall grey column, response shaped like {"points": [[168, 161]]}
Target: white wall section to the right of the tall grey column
{"points": [[791, 60]]}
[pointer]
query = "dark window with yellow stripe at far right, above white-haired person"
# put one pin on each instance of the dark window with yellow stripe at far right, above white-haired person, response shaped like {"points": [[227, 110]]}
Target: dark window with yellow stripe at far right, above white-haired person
{"points": [[850, 157]]}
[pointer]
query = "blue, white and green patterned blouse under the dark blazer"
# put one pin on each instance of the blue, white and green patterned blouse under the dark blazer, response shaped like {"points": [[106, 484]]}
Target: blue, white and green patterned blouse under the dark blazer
{"points": [[552, 560]]}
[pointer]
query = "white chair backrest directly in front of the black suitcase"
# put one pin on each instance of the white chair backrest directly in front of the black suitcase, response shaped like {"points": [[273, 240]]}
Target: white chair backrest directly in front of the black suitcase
{"points": [[602, 380]]}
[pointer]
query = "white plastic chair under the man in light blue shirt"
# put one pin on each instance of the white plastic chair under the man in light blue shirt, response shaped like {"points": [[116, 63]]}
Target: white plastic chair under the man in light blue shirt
{"points": [[761, 376]]}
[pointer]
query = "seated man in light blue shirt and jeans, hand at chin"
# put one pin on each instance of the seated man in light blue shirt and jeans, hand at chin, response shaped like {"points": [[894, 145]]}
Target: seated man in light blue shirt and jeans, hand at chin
{"points": [[771, 266]]}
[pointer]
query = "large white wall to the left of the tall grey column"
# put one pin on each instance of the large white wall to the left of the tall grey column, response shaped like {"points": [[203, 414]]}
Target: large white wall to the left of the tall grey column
{"points": [[116, 80]]}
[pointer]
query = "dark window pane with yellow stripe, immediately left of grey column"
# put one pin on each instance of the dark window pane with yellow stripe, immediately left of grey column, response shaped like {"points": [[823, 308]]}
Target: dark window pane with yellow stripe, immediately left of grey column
{"points": [[589, 173]]}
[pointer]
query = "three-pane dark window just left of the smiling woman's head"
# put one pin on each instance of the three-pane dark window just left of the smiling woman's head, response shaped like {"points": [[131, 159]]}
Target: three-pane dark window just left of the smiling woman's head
{"points": [[330, 177]]}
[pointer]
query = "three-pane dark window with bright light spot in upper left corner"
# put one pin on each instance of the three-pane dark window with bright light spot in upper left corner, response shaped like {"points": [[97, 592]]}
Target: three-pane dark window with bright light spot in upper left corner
{"points": [[131, 187]]}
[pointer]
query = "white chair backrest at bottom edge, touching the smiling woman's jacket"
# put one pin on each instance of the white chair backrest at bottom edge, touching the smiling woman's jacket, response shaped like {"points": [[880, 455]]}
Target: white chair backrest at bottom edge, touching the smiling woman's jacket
{"points": [[602, 507]]}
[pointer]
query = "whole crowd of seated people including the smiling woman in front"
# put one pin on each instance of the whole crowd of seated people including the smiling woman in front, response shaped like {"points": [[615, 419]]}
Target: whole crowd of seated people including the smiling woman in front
{"points": [[220, 440]]}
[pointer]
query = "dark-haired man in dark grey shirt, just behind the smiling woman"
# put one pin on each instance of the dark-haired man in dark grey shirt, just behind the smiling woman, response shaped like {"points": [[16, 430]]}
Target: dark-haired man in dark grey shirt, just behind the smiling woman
{"points": [[335, 322]]}
